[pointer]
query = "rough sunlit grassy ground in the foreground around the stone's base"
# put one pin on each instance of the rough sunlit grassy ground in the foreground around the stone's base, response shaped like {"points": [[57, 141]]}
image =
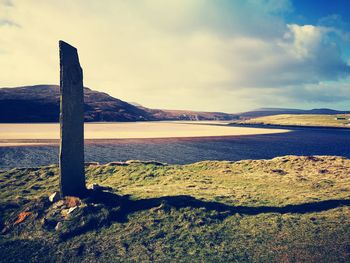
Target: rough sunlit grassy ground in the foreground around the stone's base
{"points": [[246, 211]]}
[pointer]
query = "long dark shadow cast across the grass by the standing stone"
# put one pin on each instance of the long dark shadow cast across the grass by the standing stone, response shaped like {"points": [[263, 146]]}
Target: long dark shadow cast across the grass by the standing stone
{"points": [[103, 208]]}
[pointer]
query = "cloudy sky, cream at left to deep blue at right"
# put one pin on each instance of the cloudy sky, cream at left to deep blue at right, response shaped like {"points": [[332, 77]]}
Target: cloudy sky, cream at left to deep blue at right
{"points": [[208, 55]]}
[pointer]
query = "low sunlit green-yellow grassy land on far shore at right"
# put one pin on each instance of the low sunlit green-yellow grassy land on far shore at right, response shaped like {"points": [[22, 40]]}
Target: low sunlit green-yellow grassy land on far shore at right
{"points": [[302, 120]]}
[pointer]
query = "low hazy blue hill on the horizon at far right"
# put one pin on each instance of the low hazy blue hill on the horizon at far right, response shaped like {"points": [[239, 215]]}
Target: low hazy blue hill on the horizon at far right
{"points": [[277, 111]]}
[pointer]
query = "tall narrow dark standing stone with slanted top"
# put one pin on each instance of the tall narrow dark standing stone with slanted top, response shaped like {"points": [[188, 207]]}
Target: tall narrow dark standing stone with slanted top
{"points": [[72, 175]]}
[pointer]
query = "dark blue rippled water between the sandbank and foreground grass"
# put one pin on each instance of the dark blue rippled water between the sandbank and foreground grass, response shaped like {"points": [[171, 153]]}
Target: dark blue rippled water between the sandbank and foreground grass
{"points": [[300, 141]]}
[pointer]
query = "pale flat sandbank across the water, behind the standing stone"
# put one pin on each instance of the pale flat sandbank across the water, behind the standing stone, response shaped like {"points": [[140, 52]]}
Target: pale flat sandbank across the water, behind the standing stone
{"points": [[48, 133]]}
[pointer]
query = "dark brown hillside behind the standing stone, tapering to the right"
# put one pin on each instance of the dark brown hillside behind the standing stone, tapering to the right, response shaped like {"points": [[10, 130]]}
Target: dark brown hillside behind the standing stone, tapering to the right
{"points": [[40, 103]]}
